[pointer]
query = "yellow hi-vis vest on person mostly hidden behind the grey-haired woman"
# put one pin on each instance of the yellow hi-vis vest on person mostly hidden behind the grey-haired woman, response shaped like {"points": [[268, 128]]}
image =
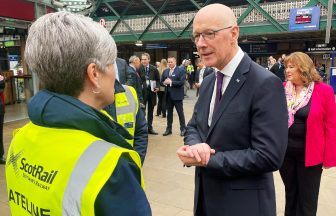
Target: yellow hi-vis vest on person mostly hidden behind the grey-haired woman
{"points": [[127, 109]]}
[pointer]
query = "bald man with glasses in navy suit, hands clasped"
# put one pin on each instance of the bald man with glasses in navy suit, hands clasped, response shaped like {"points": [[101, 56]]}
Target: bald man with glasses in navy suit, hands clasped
{"points": [[238, 132]]}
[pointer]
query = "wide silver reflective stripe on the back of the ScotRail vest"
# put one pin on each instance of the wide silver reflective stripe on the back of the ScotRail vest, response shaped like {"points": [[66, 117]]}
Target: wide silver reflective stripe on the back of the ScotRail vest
{"points": [[80, 176]]}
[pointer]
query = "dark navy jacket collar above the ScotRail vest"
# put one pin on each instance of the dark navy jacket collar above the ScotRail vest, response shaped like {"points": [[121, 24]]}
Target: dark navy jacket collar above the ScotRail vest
{"points": [[54, 110]]}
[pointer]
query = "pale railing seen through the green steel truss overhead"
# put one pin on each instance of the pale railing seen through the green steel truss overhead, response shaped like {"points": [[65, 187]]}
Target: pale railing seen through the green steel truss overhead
{"points": [[278, 10]]}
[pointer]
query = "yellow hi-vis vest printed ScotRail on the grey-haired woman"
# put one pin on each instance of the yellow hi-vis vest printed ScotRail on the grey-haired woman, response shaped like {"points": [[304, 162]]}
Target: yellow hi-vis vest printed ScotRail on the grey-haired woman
{"points": [[59, 171]]}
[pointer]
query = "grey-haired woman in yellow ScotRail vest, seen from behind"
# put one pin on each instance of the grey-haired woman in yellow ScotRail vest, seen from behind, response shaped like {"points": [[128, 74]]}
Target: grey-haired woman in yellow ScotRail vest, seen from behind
{"points": [[71, 159]]}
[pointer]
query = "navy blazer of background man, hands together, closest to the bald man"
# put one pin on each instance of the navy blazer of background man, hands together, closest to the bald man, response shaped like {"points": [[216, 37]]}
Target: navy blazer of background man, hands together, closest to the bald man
{"points": [[176, 91]]}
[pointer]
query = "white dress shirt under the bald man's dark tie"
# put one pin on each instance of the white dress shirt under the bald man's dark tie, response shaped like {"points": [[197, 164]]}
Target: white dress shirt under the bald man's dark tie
{"points": [[228, 71]]}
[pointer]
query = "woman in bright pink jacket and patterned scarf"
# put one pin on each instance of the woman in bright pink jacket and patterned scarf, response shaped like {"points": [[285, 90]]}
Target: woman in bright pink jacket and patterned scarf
{"points": [[311, 135]]}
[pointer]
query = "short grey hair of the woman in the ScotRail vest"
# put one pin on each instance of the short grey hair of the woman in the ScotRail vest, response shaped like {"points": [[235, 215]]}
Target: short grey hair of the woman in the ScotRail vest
{"points": [[61, 45]]}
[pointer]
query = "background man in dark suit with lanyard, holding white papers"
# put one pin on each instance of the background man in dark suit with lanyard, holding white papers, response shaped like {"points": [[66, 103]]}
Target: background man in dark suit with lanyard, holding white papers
{"points": [[150, 78]]}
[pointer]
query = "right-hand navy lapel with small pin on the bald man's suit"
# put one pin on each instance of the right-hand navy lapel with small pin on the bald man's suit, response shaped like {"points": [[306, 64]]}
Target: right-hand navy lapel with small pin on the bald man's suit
{"points": [[236, 82]]}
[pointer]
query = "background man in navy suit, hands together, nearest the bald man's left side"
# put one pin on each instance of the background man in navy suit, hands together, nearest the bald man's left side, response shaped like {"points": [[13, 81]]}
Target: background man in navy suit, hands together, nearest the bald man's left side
{"points": [[173, 78]]}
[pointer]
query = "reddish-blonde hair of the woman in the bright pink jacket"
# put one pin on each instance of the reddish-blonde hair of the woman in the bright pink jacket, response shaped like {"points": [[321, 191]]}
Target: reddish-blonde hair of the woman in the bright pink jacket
{"points": [[307, 70]]}
